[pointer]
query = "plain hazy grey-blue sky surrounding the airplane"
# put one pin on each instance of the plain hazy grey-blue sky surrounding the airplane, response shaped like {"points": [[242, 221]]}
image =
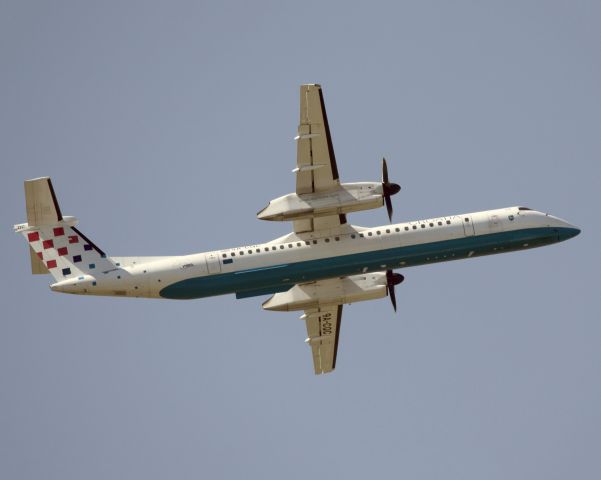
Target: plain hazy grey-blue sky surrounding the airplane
{"points": [[167, 125]]}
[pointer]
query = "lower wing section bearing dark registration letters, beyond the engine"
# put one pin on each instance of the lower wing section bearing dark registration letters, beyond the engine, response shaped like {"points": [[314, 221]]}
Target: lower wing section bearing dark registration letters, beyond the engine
{"points": [[323, 329]]}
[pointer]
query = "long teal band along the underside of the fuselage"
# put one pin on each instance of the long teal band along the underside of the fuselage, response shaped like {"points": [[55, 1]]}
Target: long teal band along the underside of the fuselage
{"points": [[276, 277]]}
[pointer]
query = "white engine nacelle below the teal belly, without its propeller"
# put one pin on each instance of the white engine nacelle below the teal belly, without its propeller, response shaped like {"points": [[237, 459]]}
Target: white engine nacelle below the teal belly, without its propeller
{"points": [[335, 291]]}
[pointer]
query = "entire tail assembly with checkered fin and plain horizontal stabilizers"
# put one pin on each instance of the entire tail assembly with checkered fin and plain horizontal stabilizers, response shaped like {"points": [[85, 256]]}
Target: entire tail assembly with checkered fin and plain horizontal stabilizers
{"points": [[56, 246]]}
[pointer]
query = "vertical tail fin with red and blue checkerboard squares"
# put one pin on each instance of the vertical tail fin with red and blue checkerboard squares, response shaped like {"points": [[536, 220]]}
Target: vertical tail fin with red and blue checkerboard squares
{"points": [[65, 252]]}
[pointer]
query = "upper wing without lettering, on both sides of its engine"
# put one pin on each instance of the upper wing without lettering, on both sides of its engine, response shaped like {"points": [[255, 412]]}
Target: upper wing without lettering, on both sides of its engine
{"points": [[316, 169]]}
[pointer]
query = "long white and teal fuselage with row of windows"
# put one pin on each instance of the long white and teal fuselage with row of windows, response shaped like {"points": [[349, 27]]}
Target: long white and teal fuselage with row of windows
{"points": [[278, 264]]}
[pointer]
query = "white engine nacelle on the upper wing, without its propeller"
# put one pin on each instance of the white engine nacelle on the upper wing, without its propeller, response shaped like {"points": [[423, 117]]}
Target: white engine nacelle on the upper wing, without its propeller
{"points": [[350, 197]]}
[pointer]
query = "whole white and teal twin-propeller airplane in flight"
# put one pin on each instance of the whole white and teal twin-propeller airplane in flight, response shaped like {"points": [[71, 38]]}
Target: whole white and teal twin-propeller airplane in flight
{"points": [[324, 263]]}
